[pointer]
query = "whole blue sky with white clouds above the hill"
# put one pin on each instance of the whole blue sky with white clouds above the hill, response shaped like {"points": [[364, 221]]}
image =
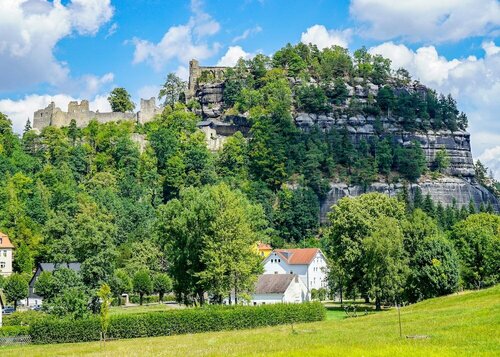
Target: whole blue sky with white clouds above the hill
{"points": [[75, 49]]}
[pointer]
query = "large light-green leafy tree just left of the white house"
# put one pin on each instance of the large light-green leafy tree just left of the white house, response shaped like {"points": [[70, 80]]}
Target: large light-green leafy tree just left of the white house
{"points": [[208, 235]]}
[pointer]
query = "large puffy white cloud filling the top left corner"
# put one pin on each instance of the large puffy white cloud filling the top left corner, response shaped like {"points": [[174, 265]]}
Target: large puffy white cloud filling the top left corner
{"points": [[29, 32]]}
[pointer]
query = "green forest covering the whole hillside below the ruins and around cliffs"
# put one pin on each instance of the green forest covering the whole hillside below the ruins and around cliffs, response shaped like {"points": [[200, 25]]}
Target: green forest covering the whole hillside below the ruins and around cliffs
{"points": [[91, 195]]}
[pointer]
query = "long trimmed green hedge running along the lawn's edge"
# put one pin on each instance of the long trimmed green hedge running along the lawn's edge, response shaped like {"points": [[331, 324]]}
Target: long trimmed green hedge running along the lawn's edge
{"points": [[165, 323]]}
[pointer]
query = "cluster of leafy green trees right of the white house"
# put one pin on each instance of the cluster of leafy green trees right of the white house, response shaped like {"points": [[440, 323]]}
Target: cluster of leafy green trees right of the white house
{"points": [[392, 251]]}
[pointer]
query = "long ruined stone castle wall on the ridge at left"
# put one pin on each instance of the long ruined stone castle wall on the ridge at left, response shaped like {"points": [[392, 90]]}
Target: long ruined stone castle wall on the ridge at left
{"points": [[81, 113]]}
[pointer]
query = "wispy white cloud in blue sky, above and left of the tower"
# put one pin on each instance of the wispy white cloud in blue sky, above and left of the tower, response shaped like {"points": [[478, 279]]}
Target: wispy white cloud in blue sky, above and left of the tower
{"points": [[182, 42]]}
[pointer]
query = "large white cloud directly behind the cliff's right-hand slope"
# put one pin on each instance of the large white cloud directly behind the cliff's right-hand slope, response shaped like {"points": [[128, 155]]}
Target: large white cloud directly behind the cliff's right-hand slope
{"points": [[474, 82]]}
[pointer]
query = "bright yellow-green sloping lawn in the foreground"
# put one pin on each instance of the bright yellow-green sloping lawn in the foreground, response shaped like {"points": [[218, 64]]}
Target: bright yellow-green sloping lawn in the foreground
{"points": [[464, 324]]}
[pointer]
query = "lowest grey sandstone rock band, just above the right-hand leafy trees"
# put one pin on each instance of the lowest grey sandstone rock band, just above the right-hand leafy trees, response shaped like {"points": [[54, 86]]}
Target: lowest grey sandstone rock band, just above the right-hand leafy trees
{"points": [[444, 190]]}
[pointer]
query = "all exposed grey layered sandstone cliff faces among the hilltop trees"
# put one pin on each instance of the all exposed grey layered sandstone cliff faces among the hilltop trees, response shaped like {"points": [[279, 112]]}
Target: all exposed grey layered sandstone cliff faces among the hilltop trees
{"points": [[458, 183]]}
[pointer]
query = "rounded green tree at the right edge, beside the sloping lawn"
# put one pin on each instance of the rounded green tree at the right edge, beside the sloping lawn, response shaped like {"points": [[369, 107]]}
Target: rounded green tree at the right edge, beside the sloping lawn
{"points": [[477, 240]]}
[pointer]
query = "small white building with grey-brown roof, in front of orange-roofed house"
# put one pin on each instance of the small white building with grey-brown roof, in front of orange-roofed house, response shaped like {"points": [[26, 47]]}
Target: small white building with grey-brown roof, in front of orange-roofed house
{"points": [[279, 288]]}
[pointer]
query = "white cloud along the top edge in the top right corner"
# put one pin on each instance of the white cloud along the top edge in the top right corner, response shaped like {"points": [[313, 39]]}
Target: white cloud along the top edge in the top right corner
{"points": [[426, 20]]}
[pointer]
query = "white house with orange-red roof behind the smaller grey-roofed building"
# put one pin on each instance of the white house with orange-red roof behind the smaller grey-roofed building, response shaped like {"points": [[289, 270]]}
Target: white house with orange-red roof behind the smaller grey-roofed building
{"points": [[308, 263]]}
